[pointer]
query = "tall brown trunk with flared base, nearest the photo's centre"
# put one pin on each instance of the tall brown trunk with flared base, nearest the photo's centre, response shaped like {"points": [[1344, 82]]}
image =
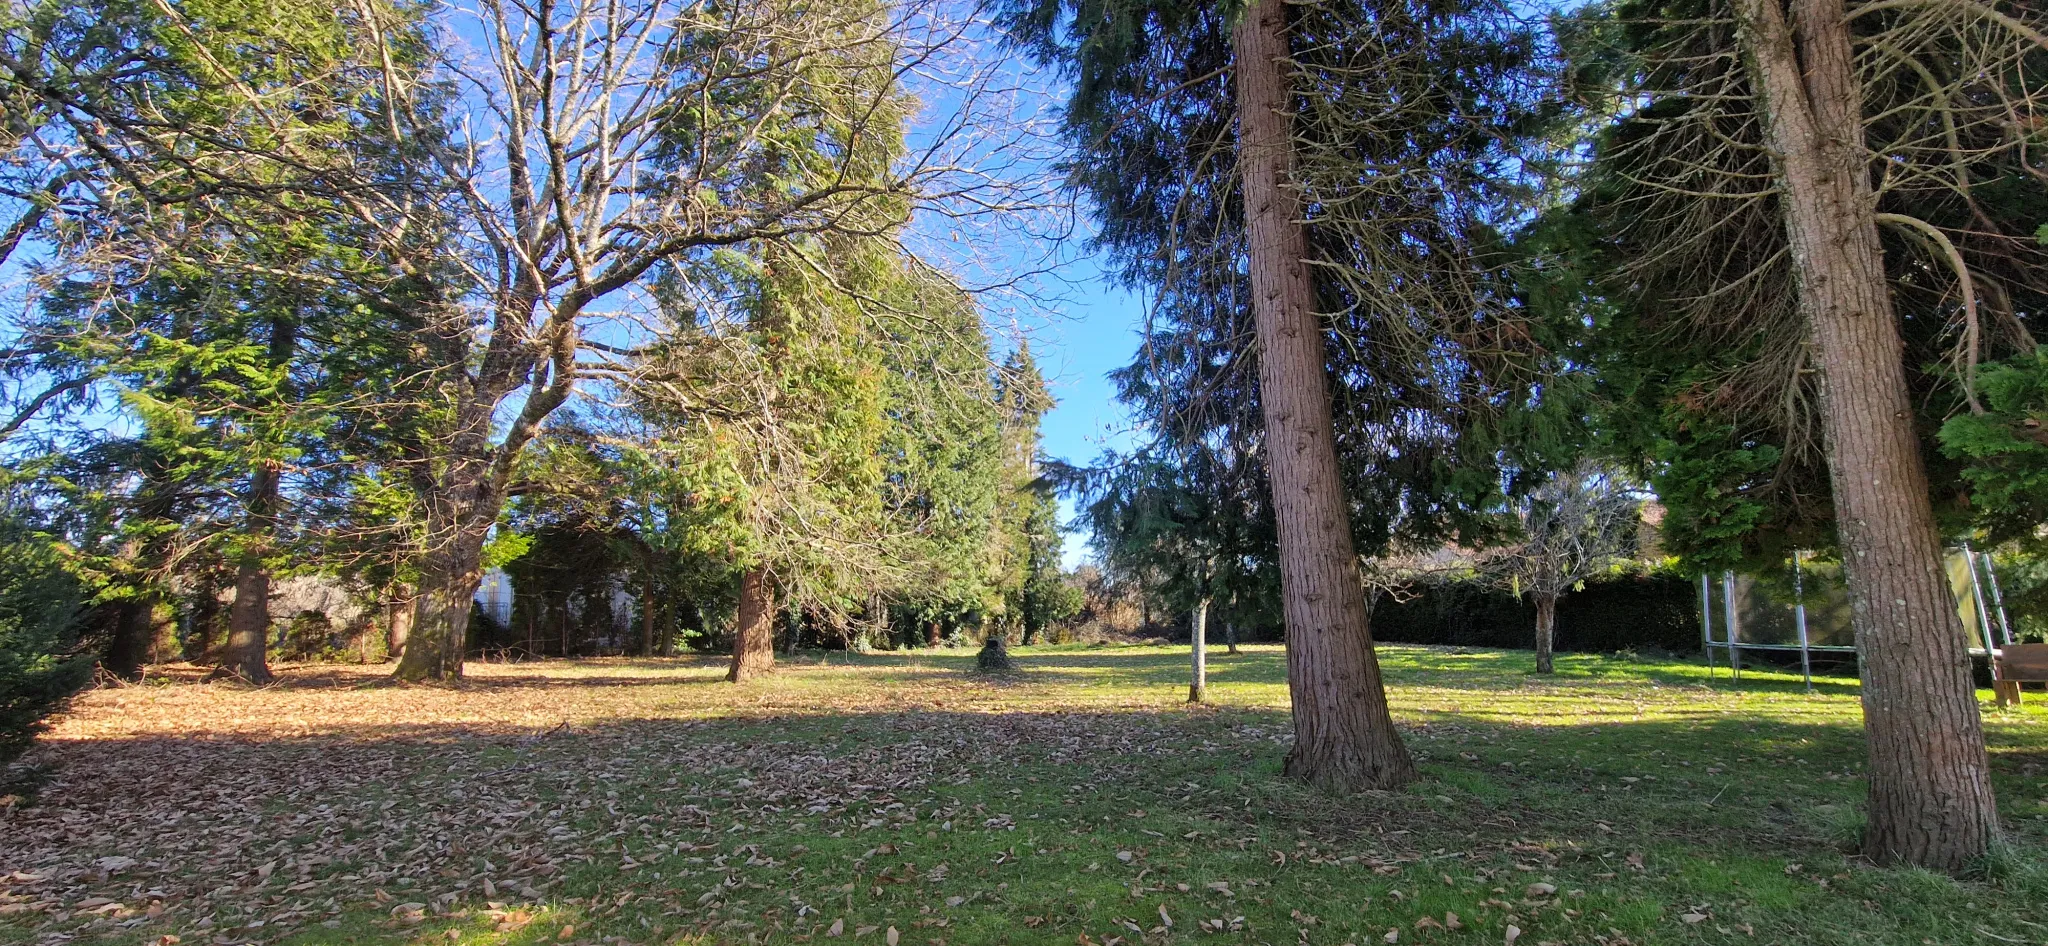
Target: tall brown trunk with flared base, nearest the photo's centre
{"points": [[1345, 736]]}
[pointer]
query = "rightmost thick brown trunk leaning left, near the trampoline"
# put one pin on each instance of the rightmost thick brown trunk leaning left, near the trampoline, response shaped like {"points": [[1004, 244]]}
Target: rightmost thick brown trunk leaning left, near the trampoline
{"points": [[1930, 789]]}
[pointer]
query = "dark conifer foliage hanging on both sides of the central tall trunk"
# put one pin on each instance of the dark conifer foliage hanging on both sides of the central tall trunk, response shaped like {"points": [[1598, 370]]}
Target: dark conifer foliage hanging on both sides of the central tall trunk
{"points": [[1408, 114]]}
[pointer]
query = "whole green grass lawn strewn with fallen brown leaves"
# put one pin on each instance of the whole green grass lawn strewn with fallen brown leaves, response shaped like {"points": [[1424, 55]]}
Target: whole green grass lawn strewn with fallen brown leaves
{"points": [[904, 800]]}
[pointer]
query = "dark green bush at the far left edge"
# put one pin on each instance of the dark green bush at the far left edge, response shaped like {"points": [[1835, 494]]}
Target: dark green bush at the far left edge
{"points": [[42, 603]]}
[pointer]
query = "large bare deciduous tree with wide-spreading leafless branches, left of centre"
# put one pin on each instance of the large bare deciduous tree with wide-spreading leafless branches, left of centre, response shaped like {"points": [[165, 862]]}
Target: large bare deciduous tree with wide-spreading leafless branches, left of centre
{"points": [[585, 146]]}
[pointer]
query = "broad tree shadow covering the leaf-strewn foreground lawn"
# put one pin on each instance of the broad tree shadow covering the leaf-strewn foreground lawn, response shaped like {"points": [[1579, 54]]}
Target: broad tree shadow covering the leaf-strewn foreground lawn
{"points": [[411, 808]]}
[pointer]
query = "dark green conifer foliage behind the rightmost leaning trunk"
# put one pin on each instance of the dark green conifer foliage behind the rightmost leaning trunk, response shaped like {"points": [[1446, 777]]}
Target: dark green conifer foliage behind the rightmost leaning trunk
{"points": [[1684, 308]]}
